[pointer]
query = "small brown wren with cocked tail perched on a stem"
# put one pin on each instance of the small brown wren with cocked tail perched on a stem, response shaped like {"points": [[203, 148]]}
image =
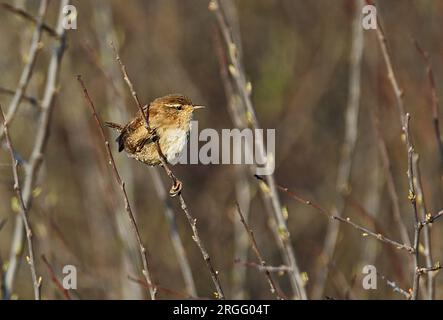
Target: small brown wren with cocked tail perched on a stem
{"points": [[170, 122]]}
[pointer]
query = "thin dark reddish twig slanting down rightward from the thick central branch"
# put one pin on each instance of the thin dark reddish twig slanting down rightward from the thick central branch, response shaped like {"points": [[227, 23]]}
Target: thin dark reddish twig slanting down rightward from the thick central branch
{"points": [[365, 231]]}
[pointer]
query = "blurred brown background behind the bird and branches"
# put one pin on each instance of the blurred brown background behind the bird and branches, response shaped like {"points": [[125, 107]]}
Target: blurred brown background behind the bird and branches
{"points": [[297, 56]]}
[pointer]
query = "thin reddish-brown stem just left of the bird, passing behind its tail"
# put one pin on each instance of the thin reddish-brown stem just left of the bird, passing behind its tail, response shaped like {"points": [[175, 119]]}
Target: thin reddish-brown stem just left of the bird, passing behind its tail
{"points": [[142, 249]]}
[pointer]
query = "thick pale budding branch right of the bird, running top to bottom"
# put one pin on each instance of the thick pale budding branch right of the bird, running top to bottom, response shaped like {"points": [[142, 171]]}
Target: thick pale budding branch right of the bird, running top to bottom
{"points": [[271, 197]]}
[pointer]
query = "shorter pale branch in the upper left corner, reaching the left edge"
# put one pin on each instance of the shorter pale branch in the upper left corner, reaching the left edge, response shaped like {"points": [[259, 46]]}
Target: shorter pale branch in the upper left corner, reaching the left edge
{"points": [[26, 75]]}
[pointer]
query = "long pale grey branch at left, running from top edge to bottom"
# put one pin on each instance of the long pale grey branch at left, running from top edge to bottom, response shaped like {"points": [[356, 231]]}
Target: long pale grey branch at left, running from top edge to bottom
{"points": [[39, 146]]}
